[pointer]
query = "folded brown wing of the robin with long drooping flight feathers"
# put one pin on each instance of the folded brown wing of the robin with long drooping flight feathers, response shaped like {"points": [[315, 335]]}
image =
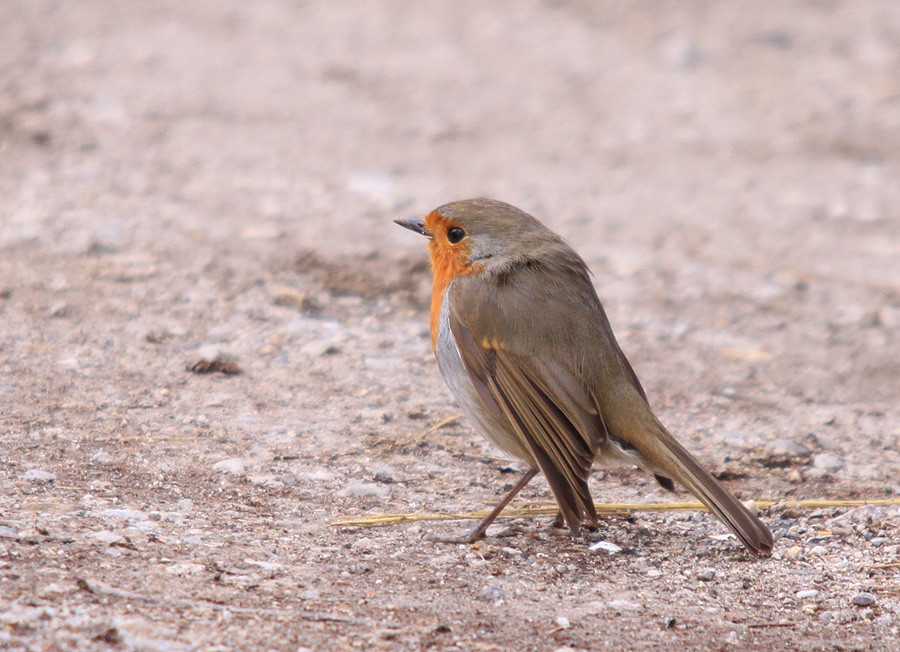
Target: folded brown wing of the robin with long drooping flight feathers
{"points": [[544, 407]]}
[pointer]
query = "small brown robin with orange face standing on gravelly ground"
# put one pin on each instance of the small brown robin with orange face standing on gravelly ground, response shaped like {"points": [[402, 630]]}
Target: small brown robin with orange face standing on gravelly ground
{"points": [[527, 350]]}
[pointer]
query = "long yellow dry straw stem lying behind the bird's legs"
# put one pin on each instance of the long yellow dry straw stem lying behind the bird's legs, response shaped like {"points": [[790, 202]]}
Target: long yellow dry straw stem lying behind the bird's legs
{"points": [[538, 509]]}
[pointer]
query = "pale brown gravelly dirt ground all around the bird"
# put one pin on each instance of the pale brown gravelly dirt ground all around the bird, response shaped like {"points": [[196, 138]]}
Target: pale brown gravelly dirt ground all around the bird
{"points": [[182, 181]]}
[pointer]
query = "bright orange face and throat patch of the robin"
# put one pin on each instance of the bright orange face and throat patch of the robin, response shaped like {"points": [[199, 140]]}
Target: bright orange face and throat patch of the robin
{"points": [[450, 252]]}
